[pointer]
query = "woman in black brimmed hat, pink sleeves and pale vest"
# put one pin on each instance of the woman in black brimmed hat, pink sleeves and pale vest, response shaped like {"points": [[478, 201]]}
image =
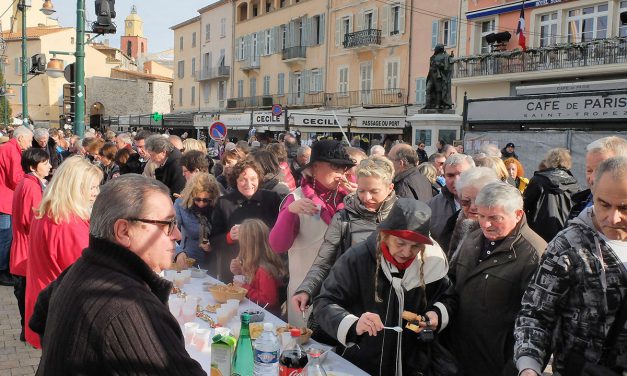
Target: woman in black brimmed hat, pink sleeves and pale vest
{"points": [[306, 213]]}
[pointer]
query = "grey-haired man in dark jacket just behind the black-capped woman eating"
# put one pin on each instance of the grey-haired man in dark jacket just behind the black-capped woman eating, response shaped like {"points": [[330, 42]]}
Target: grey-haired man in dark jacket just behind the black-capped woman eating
{"points": [[445, 206]]}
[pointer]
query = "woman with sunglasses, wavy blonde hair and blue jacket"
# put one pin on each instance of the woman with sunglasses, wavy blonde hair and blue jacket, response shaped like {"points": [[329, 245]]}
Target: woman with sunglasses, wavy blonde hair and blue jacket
{"points": [[193, 215]]}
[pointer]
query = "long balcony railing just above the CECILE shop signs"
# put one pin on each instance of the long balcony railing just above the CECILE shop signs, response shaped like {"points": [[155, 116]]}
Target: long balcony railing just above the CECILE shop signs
{"points": [[379, 97]]}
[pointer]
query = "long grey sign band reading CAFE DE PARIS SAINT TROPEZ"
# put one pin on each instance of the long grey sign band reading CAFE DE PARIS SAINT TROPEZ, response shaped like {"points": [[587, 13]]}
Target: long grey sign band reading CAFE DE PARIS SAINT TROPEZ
{"points": [[590, 107]]}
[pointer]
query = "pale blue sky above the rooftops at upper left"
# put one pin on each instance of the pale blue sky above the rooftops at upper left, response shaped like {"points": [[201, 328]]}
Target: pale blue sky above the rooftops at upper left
{"points": [[158, 17]]}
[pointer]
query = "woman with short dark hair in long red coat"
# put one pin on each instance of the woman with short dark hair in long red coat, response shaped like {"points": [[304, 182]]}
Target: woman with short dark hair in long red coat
{"points": [[27, 196]]}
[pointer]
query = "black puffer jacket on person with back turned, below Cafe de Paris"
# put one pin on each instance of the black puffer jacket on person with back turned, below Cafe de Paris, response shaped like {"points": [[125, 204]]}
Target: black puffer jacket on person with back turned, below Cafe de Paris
{"points": [[548, 201]]}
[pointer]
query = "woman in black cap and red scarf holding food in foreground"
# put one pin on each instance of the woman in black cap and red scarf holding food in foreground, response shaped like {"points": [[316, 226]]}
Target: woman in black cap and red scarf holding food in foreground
{"points": [[398, 268]]}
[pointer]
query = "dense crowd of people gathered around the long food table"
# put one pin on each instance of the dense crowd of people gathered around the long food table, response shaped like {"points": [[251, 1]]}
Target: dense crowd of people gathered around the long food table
{"points": [[499, 272]]}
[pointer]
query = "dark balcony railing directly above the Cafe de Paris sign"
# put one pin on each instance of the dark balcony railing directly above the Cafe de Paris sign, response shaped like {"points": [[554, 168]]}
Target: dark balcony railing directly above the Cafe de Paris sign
{"points": [[588, 54]]}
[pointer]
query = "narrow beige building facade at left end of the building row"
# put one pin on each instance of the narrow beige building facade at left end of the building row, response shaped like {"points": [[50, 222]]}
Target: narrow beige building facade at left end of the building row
{"points": [[186, 65]]}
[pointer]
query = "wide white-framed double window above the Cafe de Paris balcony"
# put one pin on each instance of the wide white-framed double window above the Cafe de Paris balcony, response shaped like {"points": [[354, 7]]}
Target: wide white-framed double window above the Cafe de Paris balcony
{"points": [[588, 23]]}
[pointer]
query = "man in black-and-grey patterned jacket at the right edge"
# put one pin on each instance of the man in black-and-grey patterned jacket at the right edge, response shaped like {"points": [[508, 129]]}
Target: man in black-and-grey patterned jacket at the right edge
{"points": [[575, 306]]}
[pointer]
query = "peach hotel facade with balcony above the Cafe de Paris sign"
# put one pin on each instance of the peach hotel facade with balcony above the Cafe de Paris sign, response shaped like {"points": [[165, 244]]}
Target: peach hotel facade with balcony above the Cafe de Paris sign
{"points": [[567, 42]]}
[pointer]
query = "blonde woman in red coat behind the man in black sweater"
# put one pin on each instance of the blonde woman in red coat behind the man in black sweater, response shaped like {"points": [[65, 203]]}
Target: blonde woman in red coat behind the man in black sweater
{"points": [[60, 230]]}
